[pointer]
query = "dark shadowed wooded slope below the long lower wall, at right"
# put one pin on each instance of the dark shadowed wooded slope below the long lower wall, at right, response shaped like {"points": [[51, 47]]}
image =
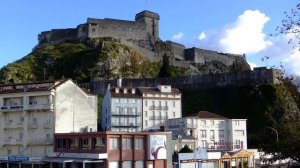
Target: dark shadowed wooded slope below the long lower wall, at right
{"points": [[263, 106]]}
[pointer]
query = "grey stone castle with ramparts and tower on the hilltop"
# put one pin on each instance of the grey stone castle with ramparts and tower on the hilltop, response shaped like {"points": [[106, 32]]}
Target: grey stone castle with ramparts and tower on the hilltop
{"points": [[143, 36]]}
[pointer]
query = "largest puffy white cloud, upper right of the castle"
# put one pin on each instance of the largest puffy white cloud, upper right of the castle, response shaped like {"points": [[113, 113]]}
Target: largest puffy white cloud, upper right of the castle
{"points": [[245, 35]]}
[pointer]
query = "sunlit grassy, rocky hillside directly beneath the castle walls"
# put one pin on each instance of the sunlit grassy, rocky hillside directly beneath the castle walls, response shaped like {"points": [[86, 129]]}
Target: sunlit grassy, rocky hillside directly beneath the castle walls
{"points": [[81, 61]]}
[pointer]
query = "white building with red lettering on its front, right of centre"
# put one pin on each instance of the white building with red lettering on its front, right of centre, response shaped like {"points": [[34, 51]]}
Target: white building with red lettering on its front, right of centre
{"points": [[211, 131]]}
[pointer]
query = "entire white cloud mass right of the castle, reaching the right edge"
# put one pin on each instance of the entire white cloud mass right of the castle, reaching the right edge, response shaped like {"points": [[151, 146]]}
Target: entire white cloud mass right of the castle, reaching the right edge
{"points": [[245, 35]]}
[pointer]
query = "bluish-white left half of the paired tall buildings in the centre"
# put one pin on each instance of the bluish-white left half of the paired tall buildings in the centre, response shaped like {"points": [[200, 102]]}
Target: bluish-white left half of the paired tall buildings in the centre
{"points": [[122, 109]]}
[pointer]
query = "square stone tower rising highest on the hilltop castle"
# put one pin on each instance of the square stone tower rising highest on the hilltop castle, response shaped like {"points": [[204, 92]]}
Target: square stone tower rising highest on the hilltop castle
{"points": [[152, 22]]}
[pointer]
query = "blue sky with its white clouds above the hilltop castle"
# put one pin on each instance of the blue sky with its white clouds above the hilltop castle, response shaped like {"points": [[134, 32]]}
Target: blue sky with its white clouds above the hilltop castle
{"points": [[235, 26]]}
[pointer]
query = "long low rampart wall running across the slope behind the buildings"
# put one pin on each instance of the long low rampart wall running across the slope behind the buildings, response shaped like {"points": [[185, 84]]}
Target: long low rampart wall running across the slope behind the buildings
{"points": [[243, 78]]}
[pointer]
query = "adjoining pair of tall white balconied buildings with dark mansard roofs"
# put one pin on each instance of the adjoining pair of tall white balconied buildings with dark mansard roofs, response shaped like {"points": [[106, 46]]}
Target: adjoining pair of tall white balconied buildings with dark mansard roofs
{"points": [[139, 109]]}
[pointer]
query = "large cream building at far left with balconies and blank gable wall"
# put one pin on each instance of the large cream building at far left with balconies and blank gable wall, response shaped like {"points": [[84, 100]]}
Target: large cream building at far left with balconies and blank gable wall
{"points": [[31, 113]]}
